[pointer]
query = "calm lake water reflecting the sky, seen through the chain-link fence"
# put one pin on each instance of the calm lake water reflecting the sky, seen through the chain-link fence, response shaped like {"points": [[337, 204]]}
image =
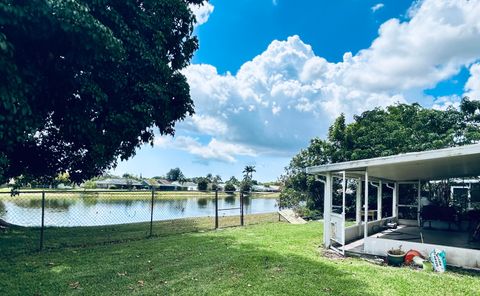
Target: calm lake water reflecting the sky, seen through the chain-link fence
{"points": [[93, 212]]}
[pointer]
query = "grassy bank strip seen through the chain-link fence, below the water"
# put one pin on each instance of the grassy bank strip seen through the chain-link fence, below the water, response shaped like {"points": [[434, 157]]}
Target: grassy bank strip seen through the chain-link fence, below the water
{"points": [[17, 240]]}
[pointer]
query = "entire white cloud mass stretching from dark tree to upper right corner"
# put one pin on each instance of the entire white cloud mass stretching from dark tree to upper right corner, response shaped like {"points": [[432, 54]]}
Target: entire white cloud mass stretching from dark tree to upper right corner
{"points": [[286, 95]]}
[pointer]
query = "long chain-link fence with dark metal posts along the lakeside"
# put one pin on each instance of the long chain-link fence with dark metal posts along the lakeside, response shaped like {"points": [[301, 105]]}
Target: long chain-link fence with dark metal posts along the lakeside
{"points": [[35, 220]]}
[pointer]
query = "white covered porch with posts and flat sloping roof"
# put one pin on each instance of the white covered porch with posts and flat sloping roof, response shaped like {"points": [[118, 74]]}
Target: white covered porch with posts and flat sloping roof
{"points": [[420, 227]]}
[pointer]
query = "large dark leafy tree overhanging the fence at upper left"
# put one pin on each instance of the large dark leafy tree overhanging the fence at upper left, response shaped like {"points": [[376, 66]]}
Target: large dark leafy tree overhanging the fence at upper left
{"points": [[85, 82]]}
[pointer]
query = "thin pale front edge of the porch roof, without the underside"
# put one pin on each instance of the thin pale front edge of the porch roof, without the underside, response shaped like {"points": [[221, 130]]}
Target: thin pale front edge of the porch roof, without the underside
{"points": [[395, 159]]}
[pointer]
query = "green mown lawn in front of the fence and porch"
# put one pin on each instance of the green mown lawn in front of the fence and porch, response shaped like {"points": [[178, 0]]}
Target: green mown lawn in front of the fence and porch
{"points": [[263, 259]]}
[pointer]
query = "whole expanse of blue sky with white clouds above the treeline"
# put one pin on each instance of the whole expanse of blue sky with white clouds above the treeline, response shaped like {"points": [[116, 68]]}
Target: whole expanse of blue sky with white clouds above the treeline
{"points": [[270, 75]]}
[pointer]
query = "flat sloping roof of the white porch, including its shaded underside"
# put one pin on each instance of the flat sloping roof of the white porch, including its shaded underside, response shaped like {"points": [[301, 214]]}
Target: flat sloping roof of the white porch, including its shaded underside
{"points": [[463, 161]]}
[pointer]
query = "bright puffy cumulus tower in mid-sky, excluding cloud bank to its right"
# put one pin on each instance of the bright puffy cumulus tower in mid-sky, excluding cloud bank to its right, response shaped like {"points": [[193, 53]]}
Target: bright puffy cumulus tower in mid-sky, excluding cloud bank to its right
{"points": [[280, 99]]}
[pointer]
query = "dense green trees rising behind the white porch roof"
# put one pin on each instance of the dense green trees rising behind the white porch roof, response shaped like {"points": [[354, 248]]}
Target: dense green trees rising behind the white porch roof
{"points": [[379, 132]]}
